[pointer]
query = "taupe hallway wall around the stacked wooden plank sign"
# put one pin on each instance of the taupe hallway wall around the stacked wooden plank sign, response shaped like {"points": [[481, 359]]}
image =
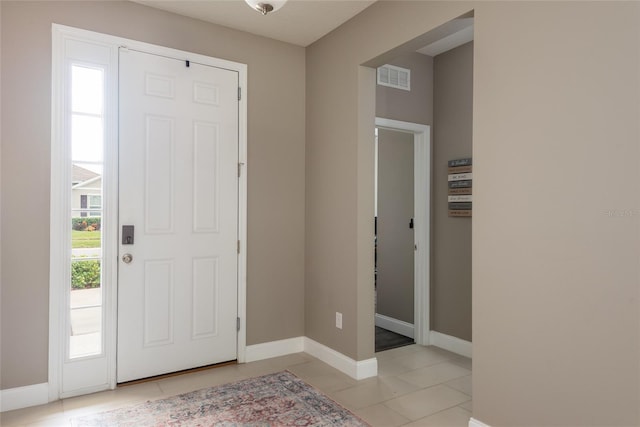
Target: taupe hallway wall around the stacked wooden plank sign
{"points": [[451, 244]]}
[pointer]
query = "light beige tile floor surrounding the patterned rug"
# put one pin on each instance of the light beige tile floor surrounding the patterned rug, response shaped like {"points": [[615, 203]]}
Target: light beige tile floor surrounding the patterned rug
{"points": [[416, 386]]}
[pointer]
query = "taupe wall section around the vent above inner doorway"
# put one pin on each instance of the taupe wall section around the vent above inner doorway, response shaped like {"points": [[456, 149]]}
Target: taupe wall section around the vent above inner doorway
{"points": [[416, 105]]}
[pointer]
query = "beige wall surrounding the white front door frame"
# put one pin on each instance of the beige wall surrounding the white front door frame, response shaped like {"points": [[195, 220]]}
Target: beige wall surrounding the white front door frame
{"points": [[275, 167]]}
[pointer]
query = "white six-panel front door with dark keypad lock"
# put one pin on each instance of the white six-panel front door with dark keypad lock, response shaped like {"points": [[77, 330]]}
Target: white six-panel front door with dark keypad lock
{"points": [[178, 188]]}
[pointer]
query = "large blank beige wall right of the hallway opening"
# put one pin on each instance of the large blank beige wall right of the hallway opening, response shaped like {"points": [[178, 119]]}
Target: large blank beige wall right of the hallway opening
{"points": [[555, 149]]}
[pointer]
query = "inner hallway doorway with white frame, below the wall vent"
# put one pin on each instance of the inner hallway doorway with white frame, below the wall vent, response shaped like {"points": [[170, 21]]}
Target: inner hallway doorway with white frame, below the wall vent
{"points": [[402, 186]]}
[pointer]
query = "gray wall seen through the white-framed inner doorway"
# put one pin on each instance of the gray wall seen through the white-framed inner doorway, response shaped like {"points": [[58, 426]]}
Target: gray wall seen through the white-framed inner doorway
{"points": [[395, 284]]}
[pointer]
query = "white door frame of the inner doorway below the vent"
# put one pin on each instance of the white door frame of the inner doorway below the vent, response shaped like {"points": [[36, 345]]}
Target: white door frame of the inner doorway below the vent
{"points": [[422, 224]]}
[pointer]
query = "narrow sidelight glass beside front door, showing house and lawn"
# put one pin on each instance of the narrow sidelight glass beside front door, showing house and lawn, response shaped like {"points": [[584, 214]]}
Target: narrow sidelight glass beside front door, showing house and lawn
{"points": [[86, 115]]}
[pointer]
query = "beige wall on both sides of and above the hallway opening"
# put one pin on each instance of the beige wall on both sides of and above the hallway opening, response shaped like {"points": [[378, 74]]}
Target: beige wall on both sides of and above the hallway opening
{"points": [[555, 148]]}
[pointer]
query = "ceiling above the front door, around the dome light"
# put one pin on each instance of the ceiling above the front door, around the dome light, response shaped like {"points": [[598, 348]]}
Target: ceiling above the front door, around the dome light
{"points": [[299, 22]]}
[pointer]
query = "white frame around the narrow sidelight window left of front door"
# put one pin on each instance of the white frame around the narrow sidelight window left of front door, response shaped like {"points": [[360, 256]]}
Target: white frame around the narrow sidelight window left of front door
{"points": [[105, 55]]}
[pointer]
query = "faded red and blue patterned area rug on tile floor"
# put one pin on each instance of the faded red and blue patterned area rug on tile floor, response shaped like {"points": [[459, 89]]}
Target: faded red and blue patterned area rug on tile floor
{"points": [[272, 400]]}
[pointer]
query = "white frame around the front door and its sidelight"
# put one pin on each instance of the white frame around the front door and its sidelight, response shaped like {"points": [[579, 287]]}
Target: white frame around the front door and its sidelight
{"points": [[60, 225]]}
